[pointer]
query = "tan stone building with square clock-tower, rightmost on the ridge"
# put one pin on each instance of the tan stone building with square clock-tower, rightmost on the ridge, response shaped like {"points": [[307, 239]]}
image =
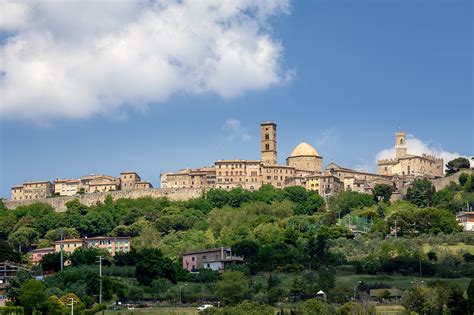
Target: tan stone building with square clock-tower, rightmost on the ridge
{"points": [[405, 164]]}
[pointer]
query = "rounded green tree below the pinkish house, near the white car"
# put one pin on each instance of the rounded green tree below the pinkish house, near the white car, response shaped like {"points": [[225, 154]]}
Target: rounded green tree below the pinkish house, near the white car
{"points": [[233, 287]]}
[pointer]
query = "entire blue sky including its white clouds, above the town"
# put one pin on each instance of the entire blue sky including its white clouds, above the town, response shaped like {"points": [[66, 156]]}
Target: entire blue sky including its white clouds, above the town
{"points": [[110, 86]]}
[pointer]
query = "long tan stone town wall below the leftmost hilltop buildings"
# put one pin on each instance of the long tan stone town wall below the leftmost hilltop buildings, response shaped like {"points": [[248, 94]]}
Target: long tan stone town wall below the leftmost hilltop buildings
{"points": [[59, 203]]}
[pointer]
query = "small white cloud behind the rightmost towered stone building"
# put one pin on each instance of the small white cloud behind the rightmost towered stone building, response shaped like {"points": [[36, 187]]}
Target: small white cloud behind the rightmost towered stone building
{"points": [[418, 147]]}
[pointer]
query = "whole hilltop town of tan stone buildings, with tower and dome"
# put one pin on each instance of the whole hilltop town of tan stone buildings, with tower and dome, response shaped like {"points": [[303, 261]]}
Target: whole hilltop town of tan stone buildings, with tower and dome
{"points": [[304, 167]]}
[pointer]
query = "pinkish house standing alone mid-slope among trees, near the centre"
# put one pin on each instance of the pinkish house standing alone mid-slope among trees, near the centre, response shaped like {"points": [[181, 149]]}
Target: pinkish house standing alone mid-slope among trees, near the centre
{"points": [[214, 259]]}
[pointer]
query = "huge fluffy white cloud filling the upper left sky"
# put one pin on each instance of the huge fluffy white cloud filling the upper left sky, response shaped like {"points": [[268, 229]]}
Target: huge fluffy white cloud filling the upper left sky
{"points": [[75, 59]]}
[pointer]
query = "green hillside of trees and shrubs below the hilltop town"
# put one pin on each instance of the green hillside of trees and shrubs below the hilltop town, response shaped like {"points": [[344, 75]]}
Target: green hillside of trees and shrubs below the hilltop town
{"points": [[294, 243]]}
